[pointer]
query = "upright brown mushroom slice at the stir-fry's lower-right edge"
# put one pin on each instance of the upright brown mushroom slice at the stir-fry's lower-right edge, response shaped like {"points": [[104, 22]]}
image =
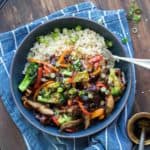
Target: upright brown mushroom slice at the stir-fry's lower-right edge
{"points": [[109, 104]]}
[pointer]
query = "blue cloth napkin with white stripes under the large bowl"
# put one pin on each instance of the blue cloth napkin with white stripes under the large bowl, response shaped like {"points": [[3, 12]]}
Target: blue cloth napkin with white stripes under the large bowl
{"points": [[114, 137]]}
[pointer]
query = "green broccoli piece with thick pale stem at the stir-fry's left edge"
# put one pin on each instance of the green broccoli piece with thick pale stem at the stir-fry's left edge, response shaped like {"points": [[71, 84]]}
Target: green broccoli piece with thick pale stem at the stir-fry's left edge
{"points": [[29, 77]]}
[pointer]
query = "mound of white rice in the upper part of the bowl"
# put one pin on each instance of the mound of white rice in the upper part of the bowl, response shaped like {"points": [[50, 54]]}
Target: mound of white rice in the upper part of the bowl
{"points": [[88, 43]]}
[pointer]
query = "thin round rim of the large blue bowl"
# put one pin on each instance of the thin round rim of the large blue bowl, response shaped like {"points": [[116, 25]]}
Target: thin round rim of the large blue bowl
{"points": [[113, 117]]}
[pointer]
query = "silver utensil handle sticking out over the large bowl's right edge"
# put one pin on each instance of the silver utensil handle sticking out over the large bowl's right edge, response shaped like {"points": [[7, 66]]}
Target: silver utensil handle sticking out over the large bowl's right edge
{"points": [[145, 63]]}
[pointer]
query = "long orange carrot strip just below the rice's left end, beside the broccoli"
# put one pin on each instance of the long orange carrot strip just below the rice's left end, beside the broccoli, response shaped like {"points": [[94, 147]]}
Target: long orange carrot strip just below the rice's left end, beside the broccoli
{"points": [[44, 63]]}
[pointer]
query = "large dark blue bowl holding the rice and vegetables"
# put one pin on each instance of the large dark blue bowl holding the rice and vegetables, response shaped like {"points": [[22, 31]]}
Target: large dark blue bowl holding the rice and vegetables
{"points": [[20, 60]]}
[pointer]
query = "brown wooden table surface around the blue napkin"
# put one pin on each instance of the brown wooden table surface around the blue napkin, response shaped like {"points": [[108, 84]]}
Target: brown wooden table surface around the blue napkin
{"points": [[19, 12]]}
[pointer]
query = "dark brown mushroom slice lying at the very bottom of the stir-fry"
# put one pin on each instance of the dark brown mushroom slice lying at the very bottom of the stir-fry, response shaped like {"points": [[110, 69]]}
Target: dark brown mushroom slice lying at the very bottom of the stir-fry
{"points": [[70, 124]]}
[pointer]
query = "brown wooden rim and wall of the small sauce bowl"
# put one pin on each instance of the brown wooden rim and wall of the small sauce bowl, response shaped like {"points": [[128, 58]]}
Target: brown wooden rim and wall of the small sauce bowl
{"points": [[130, 126]]}
